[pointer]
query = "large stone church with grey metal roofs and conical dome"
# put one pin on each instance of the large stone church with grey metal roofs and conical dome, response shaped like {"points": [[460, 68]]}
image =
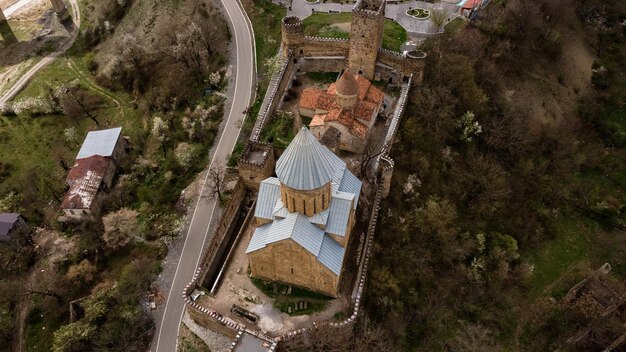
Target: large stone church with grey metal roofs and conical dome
{"points": [[305, 217]]}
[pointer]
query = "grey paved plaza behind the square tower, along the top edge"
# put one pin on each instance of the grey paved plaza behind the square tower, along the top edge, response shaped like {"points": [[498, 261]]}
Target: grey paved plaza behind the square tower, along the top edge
{"points": [[302, 9]]}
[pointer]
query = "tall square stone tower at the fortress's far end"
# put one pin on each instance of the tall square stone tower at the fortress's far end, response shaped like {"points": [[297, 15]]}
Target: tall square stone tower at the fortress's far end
{"points": [[366, 36]]}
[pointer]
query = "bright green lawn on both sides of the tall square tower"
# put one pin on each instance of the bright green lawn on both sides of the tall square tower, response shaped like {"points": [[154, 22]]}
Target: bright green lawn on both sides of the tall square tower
{"points": [[321, 25]]}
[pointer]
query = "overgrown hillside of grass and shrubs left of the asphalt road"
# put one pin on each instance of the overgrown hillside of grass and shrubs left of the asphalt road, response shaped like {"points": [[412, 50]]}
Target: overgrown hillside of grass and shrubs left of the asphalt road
{"points": [[127, 68]]}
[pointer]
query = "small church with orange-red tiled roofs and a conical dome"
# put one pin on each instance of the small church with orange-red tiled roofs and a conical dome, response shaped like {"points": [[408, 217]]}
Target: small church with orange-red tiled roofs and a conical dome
{"points": [[348, 108]]}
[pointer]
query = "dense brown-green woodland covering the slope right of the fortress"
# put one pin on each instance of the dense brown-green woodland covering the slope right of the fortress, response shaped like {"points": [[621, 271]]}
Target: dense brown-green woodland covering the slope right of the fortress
{"points": [[509, 183]]}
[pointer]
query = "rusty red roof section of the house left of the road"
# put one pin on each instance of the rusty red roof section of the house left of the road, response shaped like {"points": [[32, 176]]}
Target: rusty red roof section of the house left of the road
{"points": [[84, 181]]}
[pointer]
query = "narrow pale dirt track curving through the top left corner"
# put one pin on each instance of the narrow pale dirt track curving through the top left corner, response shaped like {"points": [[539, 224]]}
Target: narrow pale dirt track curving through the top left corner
{"points": [[21, 83]]}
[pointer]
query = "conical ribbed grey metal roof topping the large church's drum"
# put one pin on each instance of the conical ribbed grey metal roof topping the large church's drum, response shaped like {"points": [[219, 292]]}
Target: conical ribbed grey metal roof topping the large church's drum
{"points": [[306, 164]]}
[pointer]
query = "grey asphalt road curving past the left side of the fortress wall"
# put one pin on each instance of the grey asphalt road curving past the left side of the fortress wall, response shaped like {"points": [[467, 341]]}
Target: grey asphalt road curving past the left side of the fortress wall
{"points": [[198, 229]]}
